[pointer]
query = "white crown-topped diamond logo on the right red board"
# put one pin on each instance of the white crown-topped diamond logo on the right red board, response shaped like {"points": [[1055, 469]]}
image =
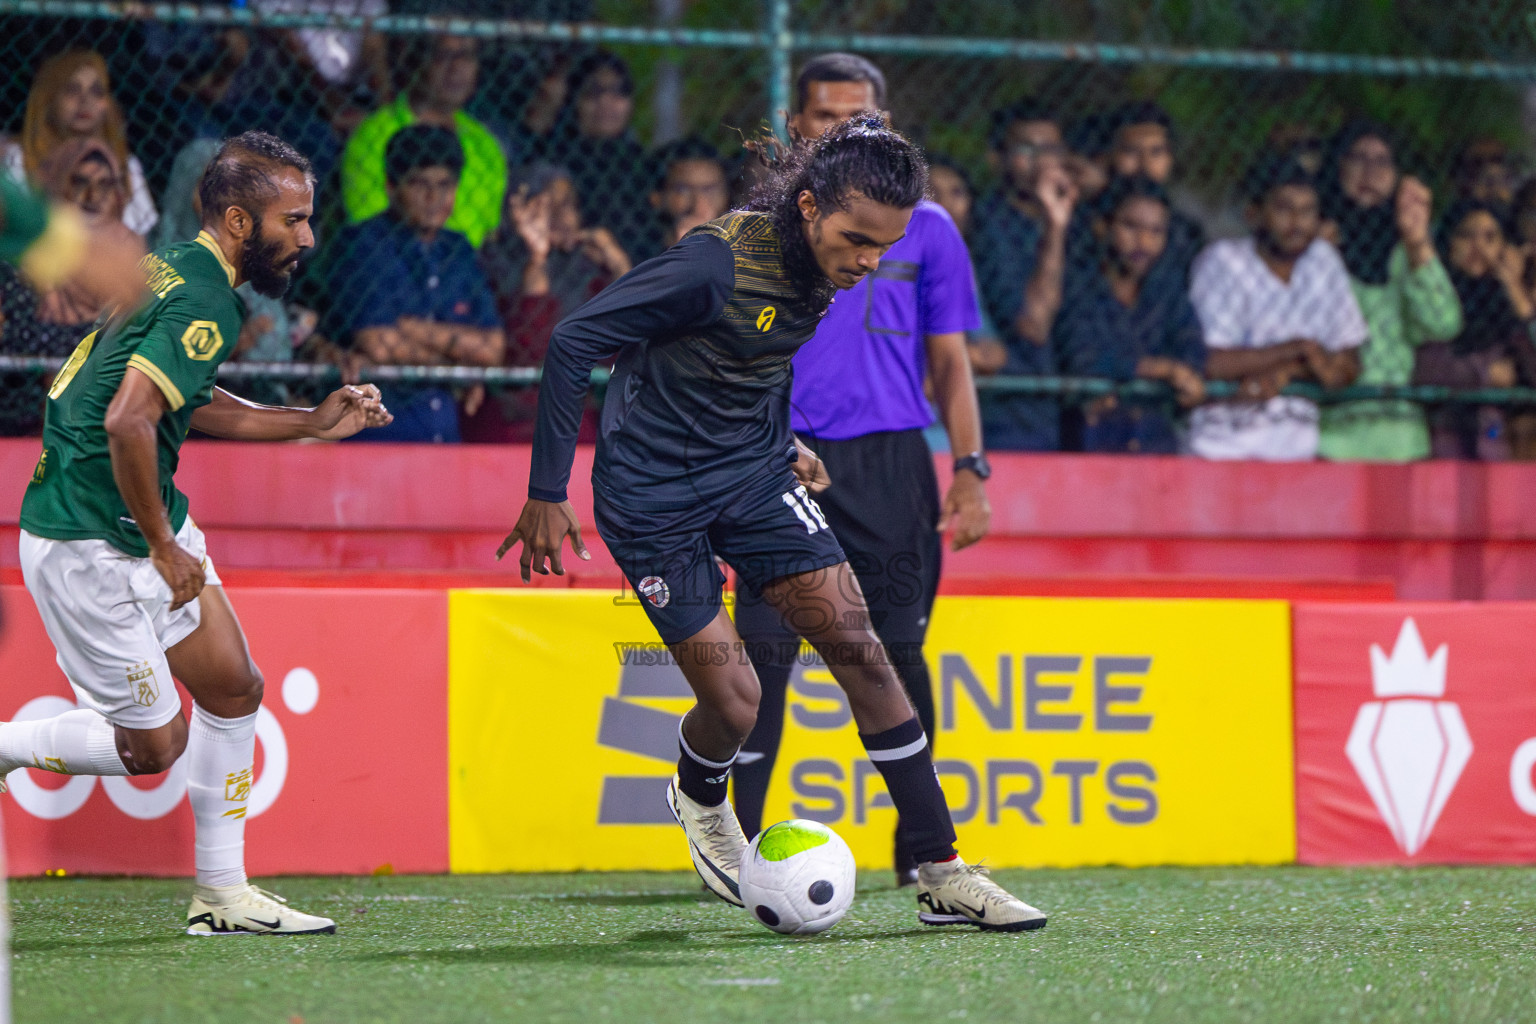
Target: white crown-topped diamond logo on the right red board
{"points": [[1408, 748]]}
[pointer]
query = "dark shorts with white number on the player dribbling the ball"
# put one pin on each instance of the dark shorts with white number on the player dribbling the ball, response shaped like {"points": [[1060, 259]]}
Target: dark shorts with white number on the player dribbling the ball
{"points": [[669, 557]]}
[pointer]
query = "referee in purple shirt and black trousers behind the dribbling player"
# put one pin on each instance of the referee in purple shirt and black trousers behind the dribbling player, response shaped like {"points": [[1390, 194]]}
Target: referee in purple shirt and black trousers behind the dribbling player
{"points": [[859, 403]]}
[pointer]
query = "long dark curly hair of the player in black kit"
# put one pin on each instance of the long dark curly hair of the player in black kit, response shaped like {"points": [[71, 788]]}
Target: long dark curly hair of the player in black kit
{"points": [[861, 157]]}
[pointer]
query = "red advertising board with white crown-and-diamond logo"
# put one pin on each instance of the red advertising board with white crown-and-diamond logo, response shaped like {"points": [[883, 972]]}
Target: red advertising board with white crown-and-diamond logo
{"points": [[1415, 733]]}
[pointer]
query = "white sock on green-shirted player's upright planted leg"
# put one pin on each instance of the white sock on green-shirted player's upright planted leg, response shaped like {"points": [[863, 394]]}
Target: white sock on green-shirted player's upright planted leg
{"points": [[222, 756]]}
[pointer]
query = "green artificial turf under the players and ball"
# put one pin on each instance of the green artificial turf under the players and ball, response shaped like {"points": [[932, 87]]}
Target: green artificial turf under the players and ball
{"points": [[1124, 945]]}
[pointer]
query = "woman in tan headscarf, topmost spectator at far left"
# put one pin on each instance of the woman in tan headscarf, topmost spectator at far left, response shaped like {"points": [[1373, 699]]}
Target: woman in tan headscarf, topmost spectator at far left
{"points": [[71, 99]]}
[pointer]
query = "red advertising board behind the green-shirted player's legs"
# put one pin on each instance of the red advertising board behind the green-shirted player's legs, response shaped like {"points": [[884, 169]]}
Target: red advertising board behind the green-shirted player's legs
{"points": [[351, 747]]}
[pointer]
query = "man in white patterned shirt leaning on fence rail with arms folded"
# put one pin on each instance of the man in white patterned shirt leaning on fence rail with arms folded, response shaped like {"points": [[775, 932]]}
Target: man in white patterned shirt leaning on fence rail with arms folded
{"points": [[1276, 308]]}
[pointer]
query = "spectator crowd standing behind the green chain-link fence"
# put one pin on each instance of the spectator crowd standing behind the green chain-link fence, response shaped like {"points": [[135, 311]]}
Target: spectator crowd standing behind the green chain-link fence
{"points": [[458, 233]]}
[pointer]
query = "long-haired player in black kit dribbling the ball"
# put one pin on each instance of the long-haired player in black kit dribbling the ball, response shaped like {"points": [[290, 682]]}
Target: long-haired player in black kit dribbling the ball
{"points": [[695, 461]]}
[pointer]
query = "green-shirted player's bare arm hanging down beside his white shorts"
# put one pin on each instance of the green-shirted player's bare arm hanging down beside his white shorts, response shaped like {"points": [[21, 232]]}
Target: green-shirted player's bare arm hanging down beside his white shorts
{"points": [[131, 421]]}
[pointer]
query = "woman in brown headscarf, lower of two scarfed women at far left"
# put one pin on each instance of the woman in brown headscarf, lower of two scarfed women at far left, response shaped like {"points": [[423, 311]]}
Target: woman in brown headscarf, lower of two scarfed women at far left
{"points": [[82, 173]]}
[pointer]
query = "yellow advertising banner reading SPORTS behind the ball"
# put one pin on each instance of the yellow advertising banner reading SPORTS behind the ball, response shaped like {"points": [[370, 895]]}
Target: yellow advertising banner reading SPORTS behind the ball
{"points": [[1070, 733]]}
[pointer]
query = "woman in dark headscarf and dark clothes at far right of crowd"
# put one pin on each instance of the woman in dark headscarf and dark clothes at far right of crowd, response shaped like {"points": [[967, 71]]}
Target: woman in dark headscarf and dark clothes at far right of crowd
{"points": [[1495, 346]]}
